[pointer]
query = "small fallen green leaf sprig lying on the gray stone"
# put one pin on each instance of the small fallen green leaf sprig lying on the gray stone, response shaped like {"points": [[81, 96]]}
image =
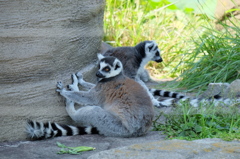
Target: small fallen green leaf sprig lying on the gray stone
{"points": [[73, 150]]}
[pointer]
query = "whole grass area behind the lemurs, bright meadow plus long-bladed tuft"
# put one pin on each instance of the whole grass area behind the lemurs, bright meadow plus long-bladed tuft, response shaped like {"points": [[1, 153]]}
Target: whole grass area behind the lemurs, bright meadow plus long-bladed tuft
{"points": [[194, 52]]}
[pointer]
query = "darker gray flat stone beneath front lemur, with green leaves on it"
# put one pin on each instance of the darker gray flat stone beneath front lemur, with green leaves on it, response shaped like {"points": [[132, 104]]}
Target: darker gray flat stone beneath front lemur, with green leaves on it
{"points": [[48, 148]]}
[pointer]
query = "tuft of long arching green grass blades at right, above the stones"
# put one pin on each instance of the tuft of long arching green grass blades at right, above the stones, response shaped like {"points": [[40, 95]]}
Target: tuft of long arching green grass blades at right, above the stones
{"points": [[216, 58]]}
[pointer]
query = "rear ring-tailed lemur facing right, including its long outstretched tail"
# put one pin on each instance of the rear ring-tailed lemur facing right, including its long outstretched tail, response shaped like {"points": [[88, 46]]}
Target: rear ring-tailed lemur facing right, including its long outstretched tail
{"points": [[134, 59]]}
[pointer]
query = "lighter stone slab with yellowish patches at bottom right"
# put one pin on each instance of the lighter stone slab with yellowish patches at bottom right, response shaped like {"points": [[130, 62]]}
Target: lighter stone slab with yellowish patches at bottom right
{"points": [[177, 149]]}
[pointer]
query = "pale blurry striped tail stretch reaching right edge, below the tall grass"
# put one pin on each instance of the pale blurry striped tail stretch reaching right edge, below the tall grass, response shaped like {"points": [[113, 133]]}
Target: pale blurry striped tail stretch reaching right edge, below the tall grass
{"points": [[195, 102]]}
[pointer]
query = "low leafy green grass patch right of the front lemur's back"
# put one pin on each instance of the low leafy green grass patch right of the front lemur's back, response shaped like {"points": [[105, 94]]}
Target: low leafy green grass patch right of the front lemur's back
{"points": [[186, 122]]}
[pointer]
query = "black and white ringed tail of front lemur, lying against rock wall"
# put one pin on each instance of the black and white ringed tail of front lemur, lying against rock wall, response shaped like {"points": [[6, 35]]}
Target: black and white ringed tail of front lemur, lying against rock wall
{"points": [[40, 130]]}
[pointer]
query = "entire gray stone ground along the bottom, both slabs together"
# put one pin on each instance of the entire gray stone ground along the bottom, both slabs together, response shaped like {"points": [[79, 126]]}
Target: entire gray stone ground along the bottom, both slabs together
{"points": [[151, 146]]}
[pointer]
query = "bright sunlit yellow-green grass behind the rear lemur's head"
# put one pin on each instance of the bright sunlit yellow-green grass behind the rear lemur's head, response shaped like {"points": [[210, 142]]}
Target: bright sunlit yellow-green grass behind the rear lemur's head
{"points": [[127, 23]]}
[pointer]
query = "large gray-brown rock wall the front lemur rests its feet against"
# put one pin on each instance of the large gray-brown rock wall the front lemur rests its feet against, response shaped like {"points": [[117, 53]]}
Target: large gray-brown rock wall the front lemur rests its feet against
{"points": [[42, 42]]}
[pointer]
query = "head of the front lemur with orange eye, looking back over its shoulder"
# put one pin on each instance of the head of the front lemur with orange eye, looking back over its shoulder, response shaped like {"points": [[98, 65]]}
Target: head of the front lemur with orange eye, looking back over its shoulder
{"points": [[108, 67]]}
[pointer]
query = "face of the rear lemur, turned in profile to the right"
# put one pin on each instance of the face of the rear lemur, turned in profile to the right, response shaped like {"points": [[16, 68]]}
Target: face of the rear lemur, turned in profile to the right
{"points": [[152, 51]]}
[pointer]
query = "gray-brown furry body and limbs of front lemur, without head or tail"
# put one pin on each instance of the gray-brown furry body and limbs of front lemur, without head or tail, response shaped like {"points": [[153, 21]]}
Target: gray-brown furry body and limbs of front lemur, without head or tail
{"points": [[119, 106]]}
